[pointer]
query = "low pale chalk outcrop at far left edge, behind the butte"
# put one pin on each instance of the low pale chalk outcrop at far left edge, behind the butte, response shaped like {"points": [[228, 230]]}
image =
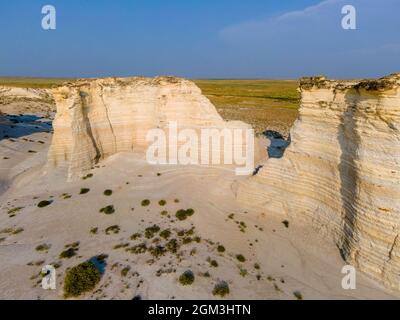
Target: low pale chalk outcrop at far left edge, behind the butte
{"points": [[14, 100]]}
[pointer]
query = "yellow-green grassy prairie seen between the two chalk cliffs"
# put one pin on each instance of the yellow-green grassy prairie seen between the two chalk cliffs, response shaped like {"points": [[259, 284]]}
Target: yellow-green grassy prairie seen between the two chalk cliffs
{"points": [[265, 104]]}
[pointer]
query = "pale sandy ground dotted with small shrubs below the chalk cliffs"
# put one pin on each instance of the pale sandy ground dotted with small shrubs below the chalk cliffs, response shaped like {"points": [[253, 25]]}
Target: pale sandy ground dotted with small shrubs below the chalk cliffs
{"points": [[290, 259]]}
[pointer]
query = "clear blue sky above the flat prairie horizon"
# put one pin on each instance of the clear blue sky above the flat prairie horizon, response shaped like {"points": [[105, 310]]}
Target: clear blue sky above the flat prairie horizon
{"points": [[200, 38]]}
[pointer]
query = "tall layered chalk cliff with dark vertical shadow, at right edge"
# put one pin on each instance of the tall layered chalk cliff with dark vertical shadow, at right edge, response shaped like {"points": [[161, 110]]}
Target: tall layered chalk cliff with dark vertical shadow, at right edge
{"points": [[341, 172]]}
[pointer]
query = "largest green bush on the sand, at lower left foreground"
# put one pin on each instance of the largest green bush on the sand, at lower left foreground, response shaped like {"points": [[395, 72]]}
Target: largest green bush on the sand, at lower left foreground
{"points": [[80, 279]]}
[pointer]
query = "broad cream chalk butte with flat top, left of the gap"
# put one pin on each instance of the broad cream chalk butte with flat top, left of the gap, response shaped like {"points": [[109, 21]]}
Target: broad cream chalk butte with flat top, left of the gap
{"points": [[100, 117]]}
